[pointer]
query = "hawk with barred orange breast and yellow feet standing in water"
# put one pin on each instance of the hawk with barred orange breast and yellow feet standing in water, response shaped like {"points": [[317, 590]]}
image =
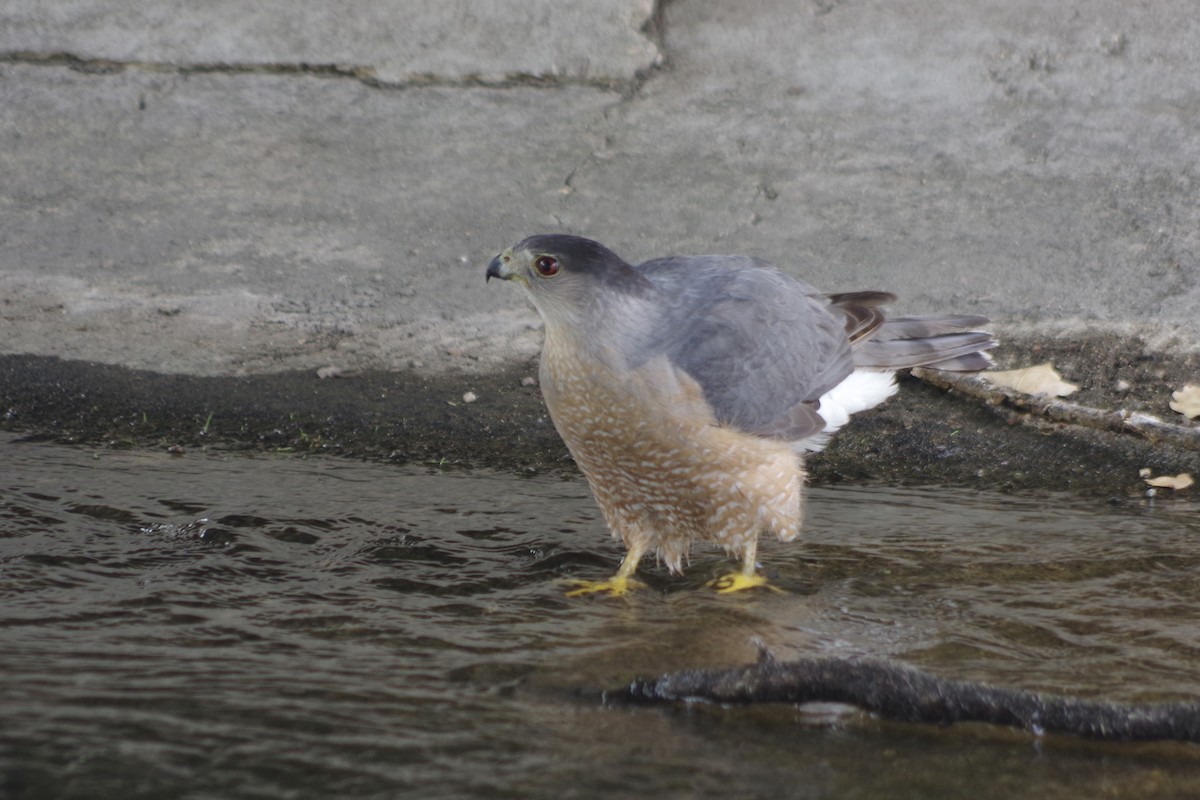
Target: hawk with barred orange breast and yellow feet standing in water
{"points": [[688, 389]]}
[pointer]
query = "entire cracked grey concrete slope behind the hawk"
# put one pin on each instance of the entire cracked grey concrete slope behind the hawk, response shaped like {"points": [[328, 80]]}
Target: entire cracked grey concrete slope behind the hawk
{"points": [[199, 190]]}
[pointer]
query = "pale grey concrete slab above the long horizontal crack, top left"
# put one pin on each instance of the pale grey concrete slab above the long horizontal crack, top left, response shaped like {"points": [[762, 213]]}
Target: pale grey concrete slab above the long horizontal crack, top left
{"points": [[389, 41]]}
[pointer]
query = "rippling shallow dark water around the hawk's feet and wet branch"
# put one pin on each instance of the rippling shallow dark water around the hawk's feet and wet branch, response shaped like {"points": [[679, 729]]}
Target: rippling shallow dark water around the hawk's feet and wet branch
{"points": [[255, 627]]}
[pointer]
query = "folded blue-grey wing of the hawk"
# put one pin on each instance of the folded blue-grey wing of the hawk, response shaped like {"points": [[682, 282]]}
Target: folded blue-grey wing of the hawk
{"points": [[763, 346]]}
